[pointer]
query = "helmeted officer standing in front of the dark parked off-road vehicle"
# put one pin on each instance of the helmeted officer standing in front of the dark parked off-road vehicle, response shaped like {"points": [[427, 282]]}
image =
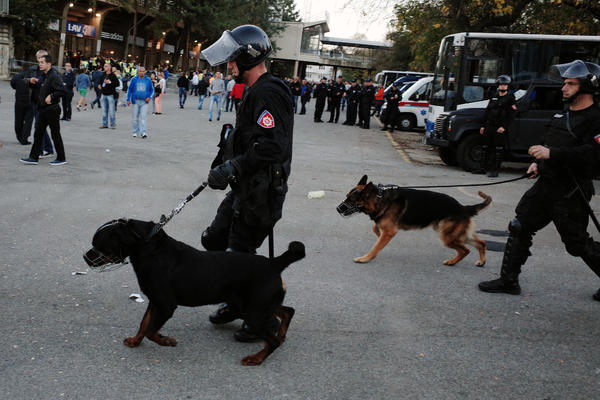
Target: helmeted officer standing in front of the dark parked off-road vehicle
{"points": [[499, 115]]}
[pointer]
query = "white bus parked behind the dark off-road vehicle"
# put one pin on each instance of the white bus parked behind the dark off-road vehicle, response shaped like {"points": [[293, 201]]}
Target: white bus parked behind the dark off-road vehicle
{"points": [[469, 63]]}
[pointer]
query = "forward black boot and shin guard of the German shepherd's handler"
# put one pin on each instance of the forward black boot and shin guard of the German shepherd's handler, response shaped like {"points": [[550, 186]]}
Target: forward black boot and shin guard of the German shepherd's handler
{"points": [[515, 255]]}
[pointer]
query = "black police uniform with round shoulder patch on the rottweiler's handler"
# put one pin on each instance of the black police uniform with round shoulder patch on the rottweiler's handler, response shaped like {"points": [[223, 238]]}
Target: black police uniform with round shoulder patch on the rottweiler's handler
{"points": [[261, 145]]}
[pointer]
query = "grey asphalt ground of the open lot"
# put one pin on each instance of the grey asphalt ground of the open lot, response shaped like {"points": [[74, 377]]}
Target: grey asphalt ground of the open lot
{"points": [[401, 327]]}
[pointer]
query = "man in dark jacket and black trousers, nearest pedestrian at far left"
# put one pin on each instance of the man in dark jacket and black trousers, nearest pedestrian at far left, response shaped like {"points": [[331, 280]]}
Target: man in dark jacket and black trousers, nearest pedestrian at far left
{"points": [[47, 100]]}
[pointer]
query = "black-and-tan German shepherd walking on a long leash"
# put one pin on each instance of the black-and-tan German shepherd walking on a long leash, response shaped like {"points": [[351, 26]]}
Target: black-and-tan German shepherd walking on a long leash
{"points": [[395, 208]]}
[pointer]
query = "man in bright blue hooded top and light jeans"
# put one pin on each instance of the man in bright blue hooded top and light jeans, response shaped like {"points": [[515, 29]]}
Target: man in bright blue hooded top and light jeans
{"points": [[139, 94]]}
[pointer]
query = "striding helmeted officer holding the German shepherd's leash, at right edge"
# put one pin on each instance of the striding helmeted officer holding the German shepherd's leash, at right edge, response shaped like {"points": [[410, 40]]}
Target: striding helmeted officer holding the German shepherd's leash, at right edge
{"points": [[565, 164]]}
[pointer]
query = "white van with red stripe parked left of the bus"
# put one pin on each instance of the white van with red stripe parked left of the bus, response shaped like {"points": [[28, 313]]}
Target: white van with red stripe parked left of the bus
{"points": [[413, 105]]}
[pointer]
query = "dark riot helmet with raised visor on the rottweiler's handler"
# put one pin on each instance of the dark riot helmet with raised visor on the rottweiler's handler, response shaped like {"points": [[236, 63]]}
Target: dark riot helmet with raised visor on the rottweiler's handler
{"points": [[247, 45]]}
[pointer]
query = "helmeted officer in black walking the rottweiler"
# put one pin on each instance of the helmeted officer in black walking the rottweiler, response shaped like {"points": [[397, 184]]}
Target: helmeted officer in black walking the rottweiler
{"points": [[254, 157]]}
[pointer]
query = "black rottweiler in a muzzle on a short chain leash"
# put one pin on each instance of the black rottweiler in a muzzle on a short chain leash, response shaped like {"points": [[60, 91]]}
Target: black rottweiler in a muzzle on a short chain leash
{"points": [[172, 273]]}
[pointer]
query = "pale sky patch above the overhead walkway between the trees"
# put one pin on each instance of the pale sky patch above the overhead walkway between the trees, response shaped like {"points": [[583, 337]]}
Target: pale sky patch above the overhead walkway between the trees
{"points": [[348, 17]]}
